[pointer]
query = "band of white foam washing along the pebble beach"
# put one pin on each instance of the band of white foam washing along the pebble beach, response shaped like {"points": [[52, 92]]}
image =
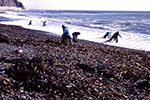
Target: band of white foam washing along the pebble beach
{"points": [[128, 40]]}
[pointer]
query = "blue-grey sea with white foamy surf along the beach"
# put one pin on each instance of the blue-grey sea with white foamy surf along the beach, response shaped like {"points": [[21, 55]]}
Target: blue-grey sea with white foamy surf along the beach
{"points": [[133, 26]]}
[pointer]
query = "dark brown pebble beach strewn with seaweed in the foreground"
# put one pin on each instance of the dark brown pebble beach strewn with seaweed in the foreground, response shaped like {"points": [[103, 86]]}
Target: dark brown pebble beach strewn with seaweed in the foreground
{"points": [[34, 65]]}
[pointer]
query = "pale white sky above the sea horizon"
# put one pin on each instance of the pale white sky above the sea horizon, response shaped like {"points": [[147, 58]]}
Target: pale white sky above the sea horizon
{"points": [[130, 5]]}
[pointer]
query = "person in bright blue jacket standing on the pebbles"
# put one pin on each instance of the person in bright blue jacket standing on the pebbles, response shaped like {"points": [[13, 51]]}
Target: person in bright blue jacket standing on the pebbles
{"points": [[65, 35]]}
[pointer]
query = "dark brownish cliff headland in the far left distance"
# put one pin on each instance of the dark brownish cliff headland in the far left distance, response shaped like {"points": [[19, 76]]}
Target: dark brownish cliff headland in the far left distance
{"points": [[11, 3]]}
